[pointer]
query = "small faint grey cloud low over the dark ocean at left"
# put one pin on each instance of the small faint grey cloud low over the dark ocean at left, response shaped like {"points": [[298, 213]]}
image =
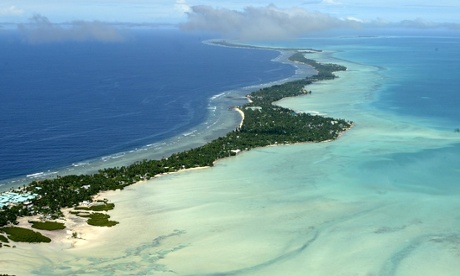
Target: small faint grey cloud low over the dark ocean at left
{"points": [[41, 30]]}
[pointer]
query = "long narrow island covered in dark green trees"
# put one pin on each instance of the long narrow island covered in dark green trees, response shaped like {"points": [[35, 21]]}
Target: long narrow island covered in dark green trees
{"points": [[264, 124]]}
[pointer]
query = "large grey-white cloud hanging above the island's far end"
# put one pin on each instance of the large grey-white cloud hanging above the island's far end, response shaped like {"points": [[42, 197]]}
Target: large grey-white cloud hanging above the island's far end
{"points": [[262, 23]]}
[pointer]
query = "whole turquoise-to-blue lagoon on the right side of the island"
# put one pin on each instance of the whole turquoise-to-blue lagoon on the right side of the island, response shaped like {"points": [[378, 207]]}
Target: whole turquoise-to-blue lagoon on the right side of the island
{"points": [[380, 200]]}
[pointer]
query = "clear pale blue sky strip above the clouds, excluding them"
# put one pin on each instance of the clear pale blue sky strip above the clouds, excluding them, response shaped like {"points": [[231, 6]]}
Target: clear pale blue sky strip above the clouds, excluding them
{"points": [[173, 11]]}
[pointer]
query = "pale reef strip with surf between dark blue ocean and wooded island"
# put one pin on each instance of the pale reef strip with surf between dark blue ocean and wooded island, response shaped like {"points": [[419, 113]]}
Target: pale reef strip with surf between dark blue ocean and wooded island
{"points": [[202, 133]]}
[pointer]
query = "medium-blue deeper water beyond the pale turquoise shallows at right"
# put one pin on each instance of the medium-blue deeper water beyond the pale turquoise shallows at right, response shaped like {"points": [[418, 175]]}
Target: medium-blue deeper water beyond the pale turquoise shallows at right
{"points": [[419, 70]]}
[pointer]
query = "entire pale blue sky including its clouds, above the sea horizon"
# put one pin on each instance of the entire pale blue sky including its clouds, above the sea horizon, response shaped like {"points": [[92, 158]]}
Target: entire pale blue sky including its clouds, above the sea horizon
{"points": [[233, 18]]}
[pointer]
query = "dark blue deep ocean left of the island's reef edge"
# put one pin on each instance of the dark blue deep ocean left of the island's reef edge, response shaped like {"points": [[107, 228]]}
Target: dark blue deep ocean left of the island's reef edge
{"points": [[63, 103]]}
